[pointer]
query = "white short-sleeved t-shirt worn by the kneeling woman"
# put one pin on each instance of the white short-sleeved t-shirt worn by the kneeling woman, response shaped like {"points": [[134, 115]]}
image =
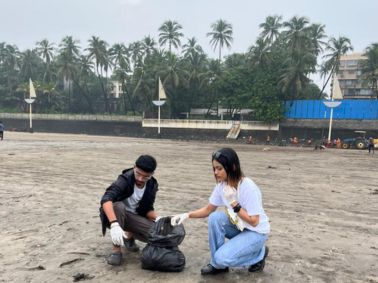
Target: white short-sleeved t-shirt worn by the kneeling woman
{"points": [[249, 198]]}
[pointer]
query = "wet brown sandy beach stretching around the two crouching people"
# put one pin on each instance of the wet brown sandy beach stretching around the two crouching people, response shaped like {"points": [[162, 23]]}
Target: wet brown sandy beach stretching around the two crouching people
{"points": [[323, 208]]}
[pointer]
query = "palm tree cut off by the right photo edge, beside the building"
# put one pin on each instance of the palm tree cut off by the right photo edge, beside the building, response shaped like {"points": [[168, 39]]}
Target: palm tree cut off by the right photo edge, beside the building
{"points": [[370, 67]]}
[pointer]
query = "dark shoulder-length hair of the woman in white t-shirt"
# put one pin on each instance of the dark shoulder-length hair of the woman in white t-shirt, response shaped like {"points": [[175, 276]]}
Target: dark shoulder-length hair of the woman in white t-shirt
{"points": [[230, 162]]}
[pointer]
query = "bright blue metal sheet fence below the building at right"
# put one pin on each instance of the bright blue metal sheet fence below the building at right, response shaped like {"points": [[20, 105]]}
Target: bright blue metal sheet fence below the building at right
{"points": [[349, 109]]}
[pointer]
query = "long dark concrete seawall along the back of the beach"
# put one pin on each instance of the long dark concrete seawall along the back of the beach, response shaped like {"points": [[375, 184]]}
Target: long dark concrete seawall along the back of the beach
{"points": [[303, 129]]}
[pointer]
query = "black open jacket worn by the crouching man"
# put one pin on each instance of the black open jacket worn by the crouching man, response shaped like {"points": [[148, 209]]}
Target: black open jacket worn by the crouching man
{"points": [[123, 188]]}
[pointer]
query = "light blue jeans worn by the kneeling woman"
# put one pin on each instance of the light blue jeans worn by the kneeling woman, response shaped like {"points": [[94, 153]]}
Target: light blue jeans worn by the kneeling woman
{"points": [[243, 248]]}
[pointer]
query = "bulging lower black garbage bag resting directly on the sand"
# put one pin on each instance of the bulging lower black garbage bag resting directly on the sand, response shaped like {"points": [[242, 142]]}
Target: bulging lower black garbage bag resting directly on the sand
{"points": [[162, 259]]}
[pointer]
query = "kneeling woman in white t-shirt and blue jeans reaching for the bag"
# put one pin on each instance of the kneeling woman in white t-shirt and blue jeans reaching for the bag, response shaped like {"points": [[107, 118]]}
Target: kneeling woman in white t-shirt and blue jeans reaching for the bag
{"points": [[243, 222]]}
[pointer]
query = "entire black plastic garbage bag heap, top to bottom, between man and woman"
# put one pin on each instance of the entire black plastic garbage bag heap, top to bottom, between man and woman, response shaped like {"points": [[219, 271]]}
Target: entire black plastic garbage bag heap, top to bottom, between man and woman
{"points": [[161, 252]]}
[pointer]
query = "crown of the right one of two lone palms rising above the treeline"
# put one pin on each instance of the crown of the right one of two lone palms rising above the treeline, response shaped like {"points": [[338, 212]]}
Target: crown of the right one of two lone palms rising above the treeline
{"points": [[221, 35]]}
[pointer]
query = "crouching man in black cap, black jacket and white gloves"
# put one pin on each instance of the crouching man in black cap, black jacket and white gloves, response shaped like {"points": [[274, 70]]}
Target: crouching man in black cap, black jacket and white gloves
{"points": [[128, 205]]}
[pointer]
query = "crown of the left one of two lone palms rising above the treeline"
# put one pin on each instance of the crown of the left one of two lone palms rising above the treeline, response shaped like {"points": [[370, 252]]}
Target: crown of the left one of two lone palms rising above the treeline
{"points": [[170, 33]]}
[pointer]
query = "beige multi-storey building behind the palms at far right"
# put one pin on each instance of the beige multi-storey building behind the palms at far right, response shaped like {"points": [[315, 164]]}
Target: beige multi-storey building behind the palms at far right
{"points": [[351, 83]]}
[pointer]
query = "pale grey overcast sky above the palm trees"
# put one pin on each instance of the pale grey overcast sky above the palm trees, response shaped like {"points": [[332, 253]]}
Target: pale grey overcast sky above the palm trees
{"points": [[24, 22]]}
